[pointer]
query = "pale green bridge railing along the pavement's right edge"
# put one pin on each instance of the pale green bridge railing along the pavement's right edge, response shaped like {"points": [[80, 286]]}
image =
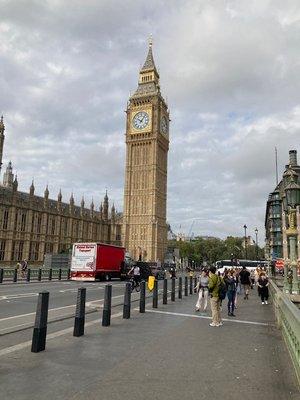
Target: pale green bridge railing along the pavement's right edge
{"points": [[288, 320]]}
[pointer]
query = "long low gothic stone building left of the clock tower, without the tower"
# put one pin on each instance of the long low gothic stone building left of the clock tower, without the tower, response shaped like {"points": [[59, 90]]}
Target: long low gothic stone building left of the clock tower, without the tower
{"points": [[31, 226]]}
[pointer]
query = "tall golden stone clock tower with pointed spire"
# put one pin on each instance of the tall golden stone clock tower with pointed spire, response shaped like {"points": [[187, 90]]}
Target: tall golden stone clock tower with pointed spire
{"points": [[147, 145]]}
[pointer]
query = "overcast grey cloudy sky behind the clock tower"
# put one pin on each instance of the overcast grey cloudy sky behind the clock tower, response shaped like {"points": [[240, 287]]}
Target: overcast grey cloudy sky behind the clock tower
{"points": [[229, 70]]}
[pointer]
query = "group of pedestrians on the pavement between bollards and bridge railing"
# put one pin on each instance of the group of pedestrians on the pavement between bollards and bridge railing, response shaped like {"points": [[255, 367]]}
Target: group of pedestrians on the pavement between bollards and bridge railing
{"points": [[216, 286]]}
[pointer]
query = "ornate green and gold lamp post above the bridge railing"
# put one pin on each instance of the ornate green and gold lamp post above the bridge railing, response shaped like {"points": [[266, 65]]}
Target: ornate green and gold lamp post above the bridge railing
{"points": [[292, 191]]}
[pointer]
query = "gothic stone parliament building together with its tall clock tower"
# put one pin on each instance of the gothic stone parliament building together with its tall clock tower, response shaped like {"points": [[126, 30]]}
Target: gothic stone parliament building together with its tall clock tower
{"points": [[32, 226]]}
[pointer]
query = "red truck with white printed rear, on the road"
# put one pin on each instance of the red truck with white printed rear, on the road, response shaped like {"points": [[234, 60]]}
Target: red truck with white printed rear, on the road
{"points": [[97, 261]]}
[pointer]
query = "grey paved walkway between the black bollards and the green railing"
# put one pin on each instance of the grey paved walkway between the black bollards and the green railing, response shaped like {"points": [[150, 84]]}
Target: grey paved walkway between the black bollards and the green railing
{"points": [[169, 353]]}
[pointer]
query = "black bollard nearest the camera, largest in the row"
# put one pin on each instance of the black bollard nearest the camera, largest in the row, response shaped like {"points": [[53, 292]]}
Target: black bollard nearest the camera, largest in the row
{"points": [[40, 326]]}
